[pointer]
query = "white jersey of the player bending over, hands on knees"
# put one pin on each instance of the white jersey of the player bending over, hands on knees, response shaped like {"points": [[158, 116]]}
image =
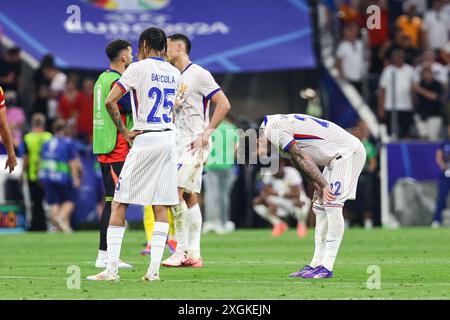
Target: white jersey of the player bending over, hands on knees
{"points": [[322, 140]]}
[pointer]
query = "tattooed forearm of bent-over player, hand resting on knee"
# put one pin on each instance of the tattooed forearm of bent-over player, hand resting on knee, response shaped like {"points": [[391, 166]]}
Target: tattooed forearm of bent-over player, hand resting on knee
{"points": [[304, 163]]}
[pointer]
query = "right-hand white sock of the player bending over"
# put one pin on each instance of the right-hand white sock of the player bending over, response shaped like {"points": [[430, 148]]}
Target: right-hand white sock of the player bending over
{"points": [[336, 227]]}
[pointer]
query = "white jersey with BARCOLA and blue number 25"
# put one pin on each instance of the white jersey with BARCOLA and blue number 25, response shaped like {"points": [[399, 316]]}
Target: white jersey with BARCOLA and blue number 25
{"points": [[153, 84]]}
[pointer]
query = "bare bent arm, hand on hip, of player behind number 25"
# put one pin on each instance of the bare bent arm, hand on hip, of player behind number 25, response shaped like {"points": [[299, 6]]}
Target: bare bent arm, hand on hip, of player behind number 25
{"points": [[222, 108]]}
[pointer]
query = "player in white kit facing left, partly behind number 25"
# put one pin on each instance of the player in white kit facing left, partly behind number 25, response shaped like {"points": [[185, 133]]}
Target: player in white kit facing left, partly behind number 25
{"points": [[194, 145]]}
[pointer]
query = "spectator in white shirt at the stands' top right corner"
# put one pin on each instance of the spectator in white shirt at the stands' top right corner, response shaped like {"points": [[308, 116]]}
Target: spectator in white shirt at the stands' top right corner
{"points": [[436, 26]]}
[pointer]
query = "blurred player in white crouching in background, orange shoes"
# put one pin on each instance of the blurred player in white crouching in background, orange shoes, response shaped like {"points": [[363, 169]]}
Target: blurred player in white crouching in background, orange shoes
{"points": [[283, 195]]}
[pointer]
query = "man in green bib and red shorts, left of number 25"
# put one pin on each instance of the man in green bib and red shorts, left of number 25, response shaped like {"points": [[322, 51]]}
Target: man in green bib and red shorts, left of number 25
{"points": [[110, 146]]}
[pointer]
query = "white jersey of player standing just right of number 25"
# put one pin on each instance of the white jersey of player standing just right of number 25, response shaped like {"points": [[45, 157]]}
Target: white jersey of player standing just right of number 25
{"points": [[192, 118]]}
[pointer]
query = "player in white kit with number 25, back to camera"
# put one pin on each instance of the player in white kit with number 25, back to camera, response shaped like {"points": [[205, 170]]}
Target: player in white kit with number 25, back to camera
{"points": [[149, 174]]}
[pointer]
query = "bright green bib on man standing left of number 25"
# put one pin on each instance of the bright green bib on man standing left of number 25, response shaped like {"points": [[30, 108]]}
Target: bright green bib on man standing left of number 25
{"points": [[105, 131]]}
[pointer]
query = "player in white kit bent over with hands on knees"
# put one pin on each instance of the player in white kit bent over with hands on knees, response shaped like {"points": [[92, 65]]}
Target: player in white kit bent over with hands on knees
{"points": [[311, 142]]}
